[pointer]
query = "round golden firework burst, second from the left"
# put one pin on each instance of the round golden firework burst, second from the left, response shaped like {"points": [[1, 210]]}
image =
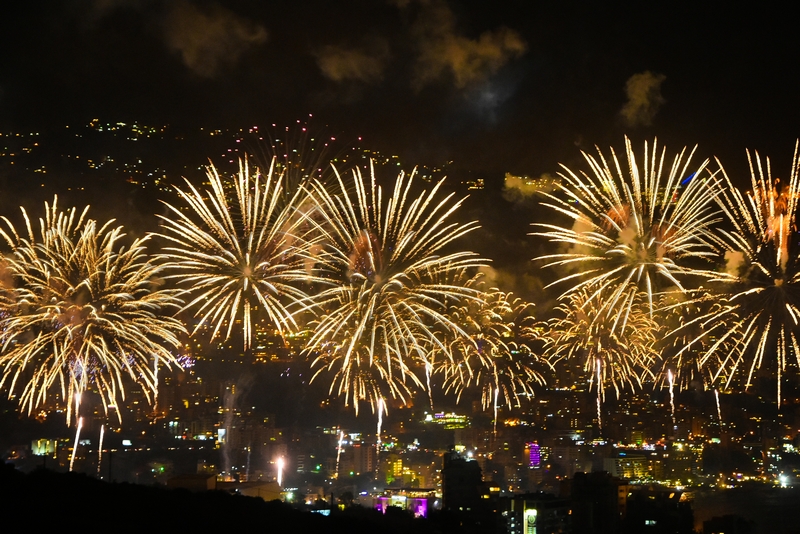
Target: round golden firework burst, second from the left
{"points": [[238, 257]]}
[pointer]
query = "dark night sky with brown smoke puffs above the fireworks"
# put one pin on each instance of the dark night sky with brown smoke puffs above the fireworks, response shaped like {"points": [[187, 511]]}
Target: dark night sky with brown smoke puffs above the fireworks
{"points": [[511, 86]]}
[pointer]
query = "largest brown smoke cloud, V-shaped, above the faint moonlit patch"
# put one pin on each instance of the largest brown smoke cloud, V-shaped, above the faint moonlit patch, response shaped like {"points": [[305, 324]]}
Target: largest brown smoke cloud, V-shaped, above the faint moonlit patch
{"points": [[443, 51]]}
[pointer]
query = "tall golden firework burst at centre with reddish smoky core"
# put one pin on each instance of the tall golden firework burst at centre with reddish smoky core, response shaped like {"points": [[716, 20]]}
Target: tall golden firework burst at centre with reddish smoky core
{"points": [[382, 318]]}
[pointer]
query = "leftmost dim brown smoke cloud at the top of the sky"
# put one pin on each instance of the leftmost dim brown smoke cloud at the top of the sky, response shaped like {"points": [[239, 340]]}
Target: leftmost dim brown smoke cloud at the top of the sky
{"points": [[208, 38]]}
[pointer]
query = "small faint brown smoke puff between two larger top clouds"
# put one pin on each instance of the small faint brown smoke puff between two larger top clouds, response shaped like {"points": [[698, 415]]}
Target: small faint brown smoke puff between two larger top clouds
{"points": [[341, 64]]}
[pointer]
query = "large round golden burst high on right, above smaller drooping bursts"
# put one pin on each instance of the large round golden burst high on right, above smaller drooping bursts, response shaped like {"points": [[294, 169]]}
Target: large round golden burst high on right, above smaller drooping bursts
{"points": [[632, 231]]}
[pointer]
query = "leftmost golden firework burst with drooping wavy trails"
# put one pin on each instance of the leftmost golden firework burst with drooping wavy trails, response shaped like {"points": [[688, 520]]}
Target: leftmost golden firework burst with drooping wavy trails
{"points": [[85, 312]]}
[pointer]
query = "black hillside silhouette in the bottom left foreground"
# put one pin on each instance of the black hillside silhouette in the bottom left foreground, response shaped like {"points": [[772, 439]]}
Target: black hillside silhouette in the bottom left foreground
{"points": [[45, 499]]}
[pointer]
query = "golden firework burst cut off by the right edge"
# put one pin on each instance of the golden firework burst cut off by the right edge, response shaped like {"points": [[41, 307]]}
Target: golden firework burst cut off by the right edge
{"points": [[759, 291]]}
